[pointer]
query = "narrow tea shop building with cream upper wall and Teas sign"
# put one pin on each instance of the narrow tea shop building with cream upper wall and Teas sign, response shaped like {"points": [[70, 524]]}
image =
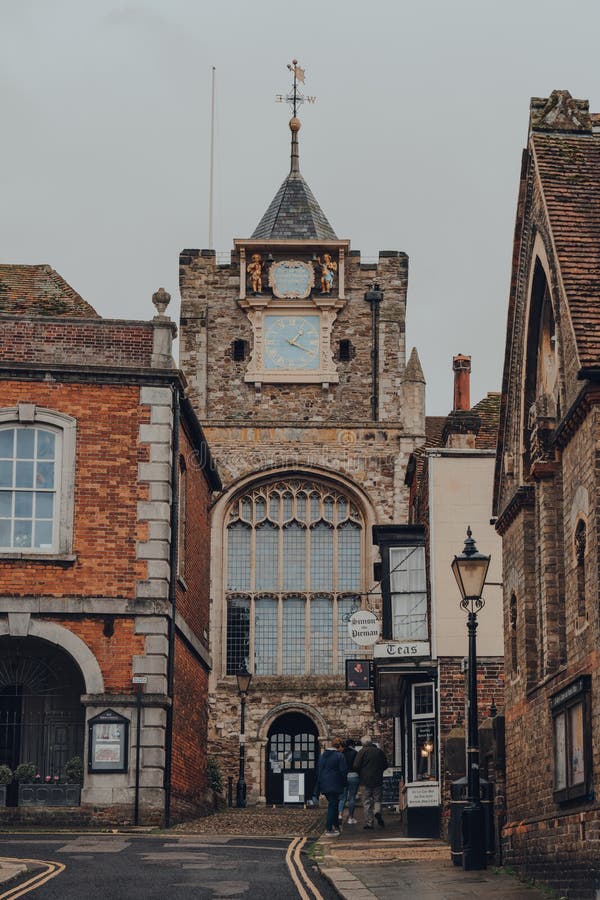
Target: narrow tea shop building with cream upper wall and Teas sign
{"points": [[450, 480]]}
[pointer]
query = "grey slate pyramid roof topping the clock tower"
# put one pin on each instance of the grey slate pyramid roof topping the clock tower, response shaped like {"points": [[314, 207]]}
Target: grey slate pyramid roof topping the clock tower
{"points": [[294, 213]]}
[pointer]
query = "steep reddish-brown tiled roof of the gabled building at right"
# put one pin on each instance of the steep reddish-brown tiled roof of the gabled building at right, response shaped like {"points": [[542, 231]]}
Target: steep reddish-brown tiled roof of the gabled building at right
{"points": [[568, 166]]}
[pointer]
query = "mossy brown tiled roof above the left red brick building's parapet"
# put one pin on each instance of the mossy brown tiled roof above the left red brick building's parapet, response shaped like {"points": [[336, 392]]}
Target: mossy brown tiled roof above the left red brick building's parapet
{"points": [[40, 291]]}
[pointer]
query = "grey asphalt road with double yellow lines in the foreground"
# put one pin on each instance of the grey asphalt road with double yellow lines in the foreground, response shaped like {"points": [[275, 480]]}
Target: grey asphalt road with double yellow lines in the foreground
{"points": [[143, 867]]}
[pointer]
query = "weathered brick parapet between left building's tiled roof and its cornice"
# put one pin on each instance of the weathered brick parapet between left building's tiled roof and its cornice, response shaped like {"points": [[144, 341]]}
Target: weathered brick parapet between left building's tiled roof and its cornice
{"points": [[98, 342]]}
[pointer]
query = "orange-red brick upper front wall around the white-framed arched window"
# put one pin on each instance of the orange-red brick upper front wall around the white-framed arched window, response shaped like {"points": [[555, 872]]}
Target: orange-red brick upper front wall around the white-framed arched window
{"points": [[106, 492]]}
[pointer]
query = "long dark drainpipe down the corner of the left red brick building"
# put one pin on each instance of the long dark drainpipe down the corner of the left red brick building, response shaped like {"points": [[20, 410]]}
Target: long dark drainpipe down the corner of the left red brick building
{"points": [[172, 599]]}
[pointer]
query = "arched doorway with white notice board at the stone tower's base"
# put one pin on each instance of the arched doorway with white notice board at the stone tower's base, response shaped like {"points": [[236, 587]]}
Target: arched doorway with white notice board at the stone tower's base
{"points": [[291, 759]]}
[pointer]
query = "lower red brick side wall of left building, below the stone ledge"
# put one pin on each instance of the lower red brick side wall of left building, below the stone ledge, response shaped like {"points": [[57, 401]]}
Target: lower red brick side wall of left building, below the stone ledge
{"points": [[190, 733]]}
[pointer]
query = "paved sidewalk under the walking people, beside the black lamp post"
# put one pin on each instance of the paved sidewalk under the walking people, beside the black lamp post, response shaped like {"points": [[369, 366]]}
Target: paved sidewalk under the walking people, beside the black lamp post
{"points": [[384, 865]]}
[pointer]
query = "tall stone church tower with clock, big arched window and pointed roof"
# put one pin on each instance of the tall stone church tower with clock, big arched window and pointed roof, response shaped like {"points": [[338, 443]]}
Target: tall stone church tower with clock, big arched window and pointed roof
{"points": [[294, 351]]}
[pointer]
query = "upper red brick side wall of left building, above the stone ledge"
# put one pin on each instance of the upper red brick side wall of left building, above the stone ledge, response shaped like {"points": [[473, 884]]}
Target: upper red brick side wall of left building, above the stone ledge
{"points": [[193, 603]]}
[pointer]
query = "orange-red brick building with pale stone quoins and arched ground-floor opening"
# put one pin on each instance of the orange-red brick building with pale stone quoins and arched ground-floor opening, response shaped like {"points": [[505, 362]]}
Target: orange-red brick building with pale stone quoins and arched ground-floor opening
{"points": [[105, 482]]}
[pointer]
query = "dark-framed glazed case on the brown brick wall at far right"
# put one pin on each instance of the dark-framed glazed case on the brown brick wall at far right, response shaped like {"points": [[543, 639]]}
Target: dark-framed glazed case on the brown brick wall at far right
{"points": [[572, 741]]}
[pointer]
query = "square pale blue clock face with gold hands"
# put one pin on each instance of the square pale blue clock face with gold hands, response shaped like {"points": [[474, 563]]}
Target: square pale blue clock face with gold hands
{"points": [[292, 342]]}
